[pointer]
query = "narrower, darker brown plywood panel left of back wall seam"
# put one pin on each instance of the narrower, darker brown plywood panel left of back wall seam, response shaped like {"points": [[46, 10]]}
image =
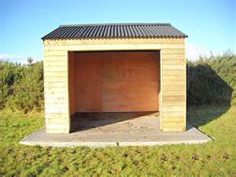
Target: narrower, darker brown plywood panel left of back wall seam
{"points": [[88, 83]]}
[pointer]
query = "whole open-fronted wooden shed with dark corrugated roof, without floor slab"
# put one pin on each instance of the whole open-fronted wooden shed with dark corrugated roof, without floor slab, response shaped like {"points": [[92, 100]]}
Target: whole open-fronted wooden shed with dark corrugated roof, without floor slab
{"points": [[114, 68]]}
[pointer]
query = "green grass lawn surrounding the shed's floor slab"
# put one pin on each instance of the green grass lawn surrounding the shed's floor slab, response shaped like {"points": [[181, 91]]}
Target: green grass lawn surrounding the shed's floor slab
{"points": [[215, 158]]}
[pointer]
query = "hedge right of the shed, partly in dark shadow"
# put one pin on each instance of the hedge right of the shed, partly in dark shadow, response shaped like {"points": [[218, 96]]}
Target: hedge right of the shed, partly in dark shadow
{"points": [[212, 80]]}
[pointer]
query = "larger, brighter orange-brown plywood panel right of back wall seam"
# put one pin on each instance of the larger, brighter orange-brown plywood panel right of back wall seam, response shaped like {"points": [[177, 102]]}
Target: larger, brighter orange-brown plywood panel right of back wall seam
{"points": [[130, 81]]}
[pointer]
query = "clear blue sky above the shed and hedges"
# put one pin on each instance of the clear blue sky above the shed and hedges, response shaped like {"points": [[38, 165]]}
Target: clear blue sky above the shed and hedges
{"points": [[209, 24]]}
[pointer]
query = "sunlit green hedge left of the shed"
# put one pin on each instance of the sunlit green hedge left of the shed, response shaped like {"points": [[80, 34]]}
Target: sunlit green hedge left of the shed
{"points": [[21, 86]]}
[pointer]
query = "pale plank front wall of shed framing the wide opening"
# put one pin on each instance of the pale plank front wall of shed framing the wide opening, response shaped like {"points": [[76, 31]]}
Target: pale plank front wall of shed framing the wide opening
{"points": [[172, 73]]}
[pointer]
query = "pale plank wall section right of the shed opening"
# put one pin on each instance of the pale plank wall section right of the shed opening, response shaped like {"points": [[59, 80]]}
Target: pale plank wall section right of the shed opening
{"points": [[173, 90]]}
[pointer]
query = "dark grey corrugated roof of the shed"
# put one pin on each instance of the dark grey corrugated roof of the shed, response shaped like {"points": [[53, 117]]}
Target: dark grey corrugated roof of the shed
{"points": [[125, 30]]}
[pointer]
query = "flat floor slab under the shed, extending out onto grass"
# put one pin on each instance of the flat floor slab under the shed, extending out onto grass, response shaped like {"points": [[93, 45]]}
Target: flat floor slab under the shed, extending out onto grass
{"points": [[120, 129]]}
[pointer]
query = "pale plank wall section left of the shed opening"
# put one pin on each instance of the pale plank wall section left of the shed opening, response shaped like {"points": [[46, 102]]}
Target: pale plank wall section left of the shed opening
{"points": [[56, 88]]}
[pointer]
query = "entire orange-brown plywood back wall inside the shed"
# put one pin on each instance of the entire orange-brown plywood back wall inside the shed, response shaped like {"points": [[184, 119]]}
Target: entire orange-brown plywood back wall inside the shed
{"points": [[114, 81]]}
